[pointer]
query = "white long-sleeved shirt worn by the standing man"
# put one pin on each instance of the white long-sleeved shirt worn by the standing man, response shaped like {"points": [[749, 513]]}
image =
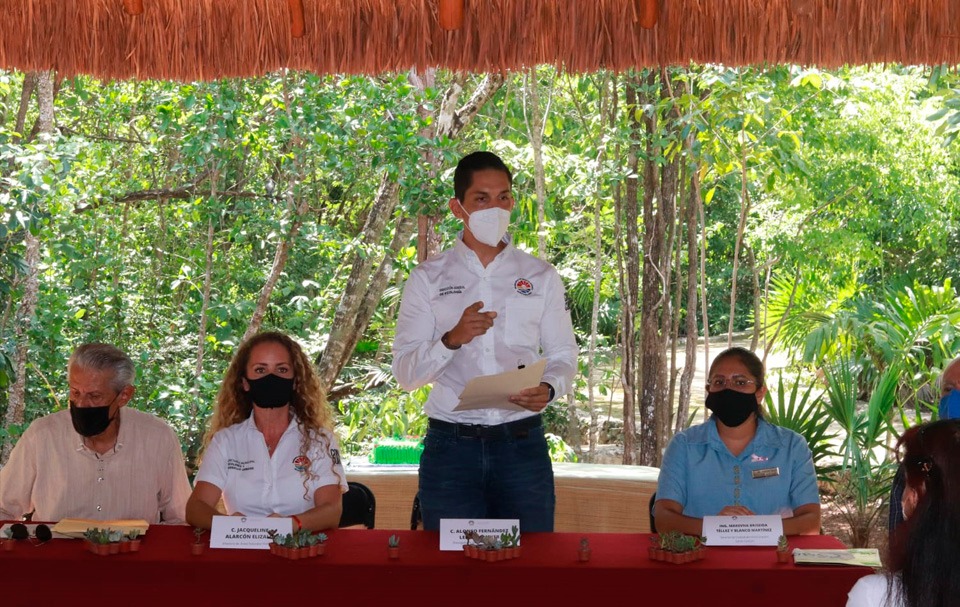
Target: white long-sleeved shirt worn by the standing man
{"points": [[532, 322]]}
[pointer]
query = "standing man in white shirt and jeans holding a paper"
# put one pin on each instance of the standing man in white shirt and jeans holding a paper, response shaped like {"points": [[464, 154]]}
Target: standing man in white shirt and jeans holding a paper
{"points": [[480, 308]]}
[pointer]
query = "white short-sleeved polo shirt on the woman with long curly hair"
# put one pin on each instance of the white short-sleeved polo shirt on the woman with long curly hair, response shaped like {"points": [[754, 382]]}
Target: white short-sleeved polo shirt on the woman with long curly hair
{"points": [[238, 463]]}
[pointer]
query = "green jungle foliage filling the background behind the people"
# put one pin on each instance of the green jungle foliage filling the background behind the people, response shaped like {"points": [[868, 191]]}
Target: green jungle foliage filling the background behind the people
{"points": [[850, 231]]}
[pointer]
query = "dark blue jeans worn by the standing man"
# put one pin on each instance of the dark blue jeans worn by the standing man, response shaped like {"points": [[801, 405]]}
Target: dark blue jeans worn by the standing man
{"points": [[473, 477]]}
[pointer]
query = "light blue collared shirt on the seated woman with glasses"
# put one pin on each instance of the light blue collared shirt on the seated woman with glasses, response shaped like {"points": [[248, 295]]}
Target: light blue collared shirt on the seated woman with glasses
{"points": [[773, 475]]}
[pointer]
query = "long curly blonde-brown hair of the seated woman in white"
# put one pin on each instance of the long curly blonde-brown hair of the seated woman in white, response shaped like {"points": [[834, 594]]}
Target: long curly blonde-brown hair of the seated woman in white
{"points": [[309, 404]]}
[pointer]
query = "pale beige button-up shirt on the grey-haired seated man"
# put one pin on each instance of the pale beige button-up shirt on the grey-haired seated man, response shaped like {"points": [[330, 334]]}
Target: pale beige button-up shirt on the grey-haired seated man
{"points": [[51, 473]]}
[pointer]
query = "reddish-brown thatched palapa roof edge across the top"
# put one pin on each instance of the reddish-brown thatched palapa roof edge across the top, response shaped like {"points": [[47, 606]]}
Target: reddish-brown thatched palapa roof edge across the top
{"points": [[207, 39]]}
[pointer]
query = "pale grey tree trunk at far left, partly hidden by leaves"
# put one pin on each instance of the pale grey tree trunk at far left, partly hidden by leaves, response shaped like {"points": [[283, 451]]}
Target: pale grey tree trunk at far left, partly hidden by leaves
{"points": [[27, 308]]}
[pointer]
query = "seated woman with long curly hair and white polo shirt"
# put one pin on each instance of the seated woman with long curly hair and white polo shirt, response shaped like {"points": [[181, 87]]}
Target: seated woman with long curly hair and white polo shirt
{"points": [[270, 449]]}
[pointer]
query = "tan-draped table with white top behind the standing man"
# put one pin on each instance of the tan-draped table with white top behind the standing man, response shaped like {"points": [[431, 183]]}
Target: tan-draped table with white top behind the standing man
{"points": [[599, 498]]}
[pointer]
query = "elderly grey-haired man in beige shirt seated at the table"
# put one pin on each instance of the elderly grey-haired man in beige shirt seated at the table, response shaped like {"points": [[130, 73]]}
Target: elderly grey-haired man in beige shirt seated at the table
{"points": [[97, 460]]}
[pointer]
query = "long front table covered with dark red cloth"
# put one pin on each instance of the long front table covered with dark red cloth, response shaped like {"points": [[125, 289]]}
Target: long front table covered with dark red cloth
{"points": [[356, 571]]}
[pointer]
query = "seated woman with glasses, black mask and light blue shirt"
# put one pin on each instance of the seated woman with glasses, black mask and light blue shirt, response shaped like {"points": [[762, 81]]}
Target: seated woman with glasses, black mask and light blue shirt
{"points": [[737, 463]]}
